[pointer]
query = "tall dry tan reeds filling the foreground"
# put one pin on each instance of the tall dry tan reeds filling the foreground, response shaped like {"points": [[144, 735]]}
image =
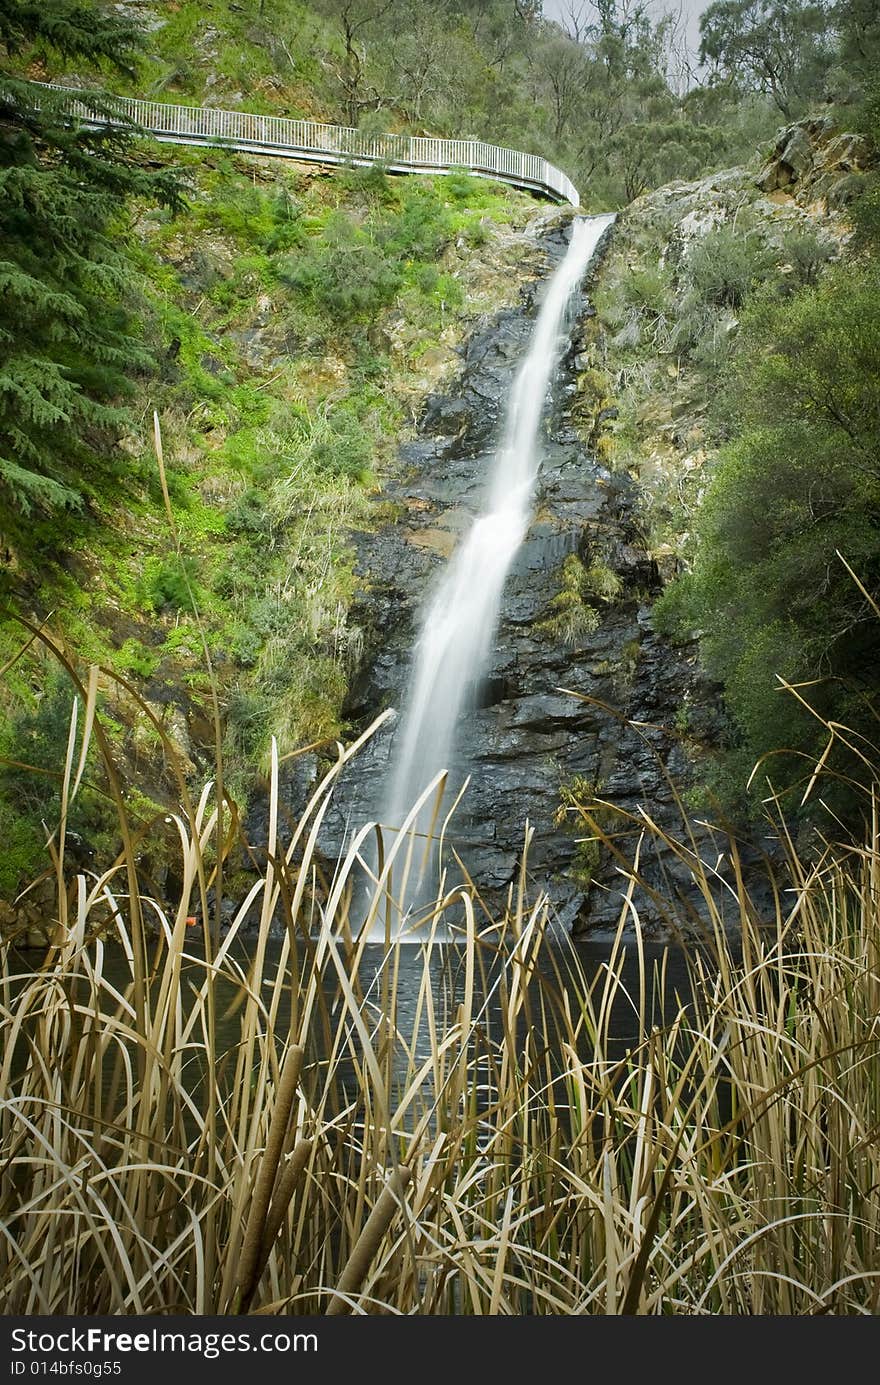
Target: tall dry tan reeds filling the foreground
{"points": [[204, 1125]]}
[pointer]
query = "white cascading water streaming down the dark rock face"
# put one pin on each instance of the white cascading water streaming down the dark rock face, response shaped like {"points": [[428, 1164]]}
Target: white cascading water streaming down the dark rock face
{"points": [[459, 624]]}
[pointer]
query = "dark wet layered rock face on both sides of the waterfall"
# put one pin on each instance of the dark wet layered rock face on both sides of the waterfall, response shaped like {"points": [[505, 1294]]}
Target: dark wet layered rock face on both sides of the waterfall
{"points": [[549, 713]]}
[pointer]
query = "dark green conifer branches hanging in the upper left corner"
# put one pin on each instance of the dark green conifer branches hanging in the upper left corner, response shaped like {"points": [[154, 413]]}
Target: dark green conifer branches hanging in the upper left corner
{"points": [[70, 341]]}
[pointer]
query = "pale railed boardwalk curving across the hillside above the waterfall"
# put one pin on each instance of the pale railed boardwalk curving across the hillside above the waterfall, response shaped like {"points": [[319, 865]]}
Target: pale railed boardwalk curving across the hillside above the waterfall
{"points": [[315, 143]]}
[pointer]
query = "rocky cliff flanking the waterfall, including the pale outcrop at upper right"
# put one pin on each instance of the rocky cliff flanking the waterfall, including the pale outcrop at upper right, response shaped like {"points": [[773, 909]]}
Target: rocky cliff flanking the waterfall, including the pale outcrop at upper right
{"points": [[586, 703]]}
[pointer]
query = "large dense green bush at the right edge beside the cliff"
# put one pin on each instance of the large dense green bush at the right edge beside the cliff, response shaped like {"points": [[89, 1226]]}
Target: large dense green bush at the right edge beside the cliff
{"points": [[796, 490]]}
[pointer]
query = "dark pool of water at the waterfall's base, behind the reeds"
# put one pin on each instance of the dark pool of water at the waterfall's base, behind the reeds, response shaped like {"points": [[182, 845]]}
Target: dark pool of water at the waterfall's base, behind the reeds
{"points": [[411, 995]]}
